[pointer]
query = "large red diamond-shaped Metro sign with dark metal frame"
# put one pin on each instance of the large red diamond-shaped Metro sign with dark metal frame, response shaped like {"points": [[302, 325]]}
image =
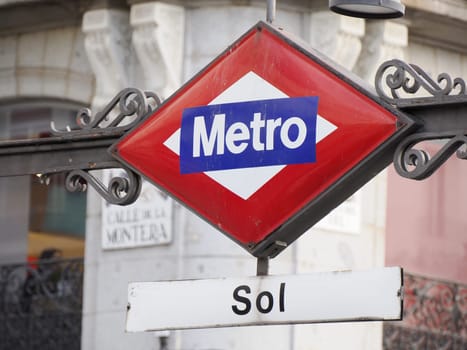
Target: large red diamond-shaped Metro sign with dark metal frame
{"points": [[265, 141]]}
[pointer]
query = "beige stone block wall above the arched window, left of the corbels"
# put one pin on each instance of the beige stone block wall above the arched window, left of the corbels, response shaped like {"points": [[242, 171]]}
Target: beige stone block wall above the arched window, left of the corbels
{"points": [[46, 64]]}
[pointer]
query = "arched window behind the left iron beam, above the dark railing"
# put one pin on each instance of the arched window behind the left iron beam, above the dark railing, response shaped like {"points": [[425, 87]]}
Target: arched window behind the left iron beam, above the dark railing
{"points": [[56, 217]]}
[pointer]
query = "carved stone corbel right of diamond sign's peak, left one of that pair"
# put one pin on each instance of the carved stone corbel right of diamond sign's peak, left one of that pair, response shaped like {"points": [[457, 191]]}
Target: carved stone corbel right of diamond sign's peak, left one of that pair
{"points": [[338, 37]]}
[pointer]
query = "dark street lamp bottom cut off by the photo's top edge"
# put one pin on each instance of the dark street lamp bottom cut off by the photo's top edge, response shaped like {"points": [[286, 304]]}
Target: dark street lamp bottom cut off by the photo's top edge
{"points": [[372, 9]]}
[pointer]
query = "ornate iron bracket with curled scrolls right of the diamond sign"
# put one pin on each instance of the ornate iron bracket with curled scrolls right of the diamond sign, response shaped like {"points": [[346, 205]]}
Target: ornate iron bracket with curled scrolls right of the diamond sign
{"points": [[438, 106]]}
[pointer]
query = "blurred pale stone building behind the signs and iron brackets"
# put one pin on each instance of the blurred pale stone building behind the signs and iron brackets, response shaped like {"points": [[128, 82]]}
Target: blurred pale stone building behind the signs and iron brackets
{"points": [[66, 258]]}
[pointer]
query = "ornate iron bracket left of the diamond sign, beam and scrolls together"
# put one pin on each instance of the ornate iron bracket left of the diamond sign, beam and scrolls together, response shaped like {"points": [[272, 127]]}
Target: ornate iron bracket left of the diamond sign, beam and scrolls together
{"points": [[82, 150]]}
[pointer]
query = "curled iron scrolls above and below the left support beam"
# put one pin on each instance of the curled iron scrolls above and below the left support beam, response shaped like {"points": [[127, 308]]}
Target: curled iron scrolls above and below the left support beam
{"points": [[125, 110]]}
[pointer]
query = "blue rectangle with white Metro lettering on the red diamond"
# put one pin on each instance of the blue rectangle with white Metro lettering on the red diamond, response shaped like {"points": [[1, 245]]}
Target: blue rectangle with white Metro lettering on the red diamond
{"points": [[248, 134]]}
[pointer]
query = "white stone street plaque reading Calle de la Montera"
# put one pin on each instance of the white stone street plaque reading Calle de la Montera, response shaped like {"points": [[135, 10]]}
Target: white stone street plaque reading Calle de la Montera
{"points": [[146, 222]]}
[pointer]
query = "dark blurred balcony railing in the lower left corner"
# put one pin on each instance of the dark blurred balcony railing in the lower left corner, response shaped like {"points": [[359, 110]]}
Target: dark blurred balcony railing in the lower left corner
{"points": [[40, 305]]}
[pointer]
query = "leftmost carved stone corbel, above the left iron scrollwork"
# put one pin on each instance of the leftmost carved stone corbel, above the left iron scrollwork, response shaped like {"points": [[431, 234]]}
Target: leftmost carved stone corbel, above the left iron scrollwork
{"points": [[107, 44]]}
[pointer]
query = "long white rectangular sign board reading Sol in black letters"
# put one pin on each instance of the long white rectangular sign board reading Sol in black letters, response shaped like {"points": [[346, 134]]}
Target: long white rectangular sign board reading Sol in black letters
{"points": [[265, 300]]}
